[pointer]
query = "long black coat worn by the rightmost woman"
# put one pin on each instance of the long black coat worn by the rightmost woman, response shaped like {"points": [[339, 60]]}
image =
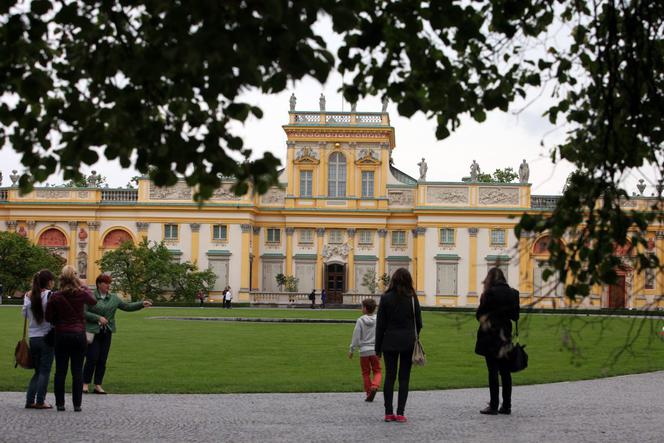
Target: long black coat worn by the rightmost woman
{"points": [[497, 308]]}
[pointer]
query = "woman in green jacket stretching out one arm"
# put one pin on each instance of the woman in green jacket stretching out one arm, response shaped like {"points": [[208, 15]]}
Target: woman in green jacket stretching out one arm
{"points": [[100, 321]]}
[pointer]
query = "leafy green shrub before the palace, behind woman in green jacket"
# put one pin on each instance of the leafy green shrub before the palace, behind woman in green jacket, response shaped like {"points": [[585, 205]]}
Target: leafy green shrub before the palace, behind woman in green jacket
{"points": [[147, 270]]}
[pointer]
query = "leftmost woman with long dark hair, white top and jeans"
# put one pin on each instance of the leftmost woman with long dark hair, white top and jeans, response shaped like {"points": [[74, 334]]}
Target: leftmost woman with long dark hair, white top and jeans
{"points": [[41, 345]]}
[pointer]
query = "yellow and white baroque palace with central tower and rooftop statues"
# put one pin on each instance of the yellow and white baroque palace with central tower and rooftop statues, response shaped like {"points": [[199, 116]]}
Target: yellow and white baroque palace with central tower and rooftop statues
{"points": [[342, 211]]}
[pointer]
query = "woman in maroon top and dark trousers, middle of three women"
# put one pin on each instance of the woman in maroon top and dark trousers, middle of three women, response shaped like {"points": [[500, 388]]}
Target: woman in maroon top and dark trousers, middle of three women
{"points": [[66, 312]]}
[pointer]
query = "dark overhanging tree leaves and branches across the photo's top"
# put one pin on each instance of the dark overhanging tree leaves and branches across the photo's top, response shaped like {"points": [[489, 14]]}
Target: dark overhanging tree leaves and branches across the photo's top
{"points": [[159, 81]]}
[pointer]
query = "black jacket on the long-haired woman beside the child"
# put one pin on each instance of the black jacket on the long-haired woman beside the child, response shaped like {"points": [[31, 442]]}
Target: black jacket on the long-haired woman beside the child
{"points": [[395, 327]]}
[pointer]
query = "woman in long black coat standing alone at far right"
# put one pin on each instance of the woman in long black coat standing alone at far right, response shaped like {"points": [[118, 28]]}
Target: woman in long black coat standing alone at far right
{"points": [[499, 305]]}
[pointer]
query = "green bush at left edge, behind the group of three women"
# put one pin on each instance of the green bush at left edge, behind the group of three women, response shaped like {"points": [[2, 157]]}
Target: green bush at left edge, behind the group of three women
{"points": [[20, 260]]}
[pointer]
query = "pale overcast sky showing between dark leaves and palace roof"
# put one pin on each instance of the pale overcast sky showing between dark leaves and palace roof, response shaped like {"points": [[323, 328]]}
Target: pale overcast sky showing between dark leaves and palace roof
{"points": [[503, 140]]}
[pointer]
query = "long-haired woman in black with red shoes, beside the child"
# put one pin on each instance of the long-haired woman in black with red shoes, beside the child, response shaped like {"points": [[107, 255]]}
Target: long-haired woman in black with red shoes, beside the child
{"points": [[398, 316]]}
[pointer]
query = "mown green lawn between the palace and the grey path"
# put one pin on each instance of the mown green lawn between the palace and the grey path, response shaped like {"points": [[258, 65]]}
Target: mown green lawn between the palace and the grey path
{"points": [[166, 356]]}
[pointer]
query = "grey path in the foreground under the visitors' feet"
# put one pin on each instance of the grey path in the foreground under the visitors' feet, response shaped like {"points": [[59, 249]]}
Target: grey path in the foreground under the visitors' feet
{"points": [[619, 409]]}
